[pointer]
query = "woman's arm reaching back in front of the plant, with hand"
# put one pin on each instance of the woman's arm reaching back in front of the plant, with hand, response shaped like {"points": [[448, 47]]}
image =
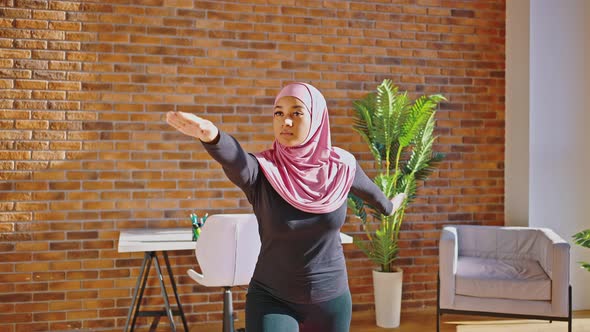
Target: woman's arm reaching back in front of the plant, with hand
{"points": [[368, 191]]}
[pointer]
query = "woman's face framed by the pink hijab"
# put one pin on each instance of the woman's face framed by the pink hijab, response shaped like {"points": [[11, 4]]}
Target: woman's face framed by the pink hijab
{"points": [[291, 121]]}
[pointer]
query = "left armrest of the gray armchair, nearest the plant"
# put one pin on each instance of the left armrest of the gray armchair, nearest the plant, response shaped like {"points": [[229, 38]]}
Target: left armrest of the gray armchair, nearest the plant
{"points": [[448, 255]]}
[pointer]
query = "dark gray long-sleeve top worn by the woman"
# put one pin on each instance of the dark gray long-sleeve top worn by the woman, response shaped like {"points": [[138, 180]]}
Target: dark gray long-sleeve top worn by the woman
{"points": [[301, 258]]}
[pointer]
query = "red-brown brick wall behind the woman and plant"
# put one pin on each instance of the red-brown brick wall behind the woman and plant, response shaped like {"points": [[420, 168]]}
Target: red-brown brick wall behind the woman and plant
{"points": [[84, 150]]}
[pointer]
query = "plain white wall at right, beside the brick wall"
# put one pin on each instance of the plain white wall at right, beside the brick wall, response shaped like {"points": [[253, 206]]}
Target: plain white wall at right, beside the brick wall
{"points": [[559, 126]]}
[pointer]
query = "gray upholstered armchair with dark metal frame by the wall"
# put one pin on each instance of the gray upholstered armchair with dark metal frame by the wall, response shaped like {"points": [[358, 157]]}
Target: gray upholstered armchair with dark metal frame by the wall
{"points": [[515, 272]]}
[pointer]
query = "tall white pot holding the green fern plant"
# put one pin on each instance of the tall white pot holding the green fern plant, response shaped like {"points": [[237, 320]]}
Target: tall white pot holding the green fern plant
{"points": [[387, 287]]}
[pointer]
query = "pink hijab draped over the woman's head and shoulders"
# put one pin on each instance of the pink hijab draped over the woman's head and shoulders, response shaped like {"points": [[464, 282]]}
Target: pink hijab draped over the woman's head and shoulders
{"points": [[314, 176]]}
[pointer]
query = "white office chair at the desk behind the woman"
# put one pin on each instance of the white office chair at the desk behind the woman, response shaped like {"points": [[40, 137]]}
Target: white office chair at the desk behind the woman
{"points": [[227, 252]]}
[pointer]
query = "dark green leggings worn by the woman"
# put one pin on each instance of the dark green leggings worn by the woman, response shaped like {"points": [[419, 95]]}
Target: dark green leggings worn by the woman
{"points": [[267, 313]]}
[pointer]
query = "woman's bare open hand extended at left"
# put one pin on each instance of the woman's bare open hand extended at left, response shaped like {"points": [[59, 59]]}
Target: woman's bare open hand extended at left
{"points": [[192, 125]]}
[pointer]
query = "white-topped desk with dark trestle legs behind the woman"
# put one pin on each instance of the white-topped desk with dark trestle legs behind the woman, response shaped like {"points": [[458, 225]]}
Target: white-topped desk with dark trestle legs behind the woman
{"points": [[149, 241]]}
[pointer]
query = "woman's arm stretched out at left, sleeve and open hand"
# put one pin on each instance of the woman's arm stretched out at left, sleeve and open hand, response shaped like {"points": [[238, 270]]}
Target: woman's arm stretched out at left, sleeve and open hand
{"points": [[240, 167]]}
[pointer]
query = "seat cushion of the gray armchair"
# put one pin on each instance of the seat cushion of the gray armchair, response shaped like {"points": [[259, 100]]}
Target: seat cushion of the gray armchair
{"points": [[502, 278]]}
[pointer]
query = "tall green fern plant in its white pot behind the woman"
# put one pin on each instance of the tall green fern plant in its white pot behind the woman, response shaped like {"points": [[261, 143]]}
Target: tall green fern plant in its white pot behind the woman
{"points": [[399, 133]]}
